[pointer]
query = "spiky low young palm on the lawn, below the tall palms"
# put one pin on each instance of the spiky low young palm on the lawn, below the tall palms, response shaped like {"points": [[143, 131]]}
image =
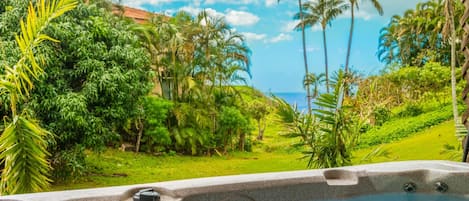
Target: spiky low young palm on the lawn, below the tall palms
{"points": [[331, 145]]}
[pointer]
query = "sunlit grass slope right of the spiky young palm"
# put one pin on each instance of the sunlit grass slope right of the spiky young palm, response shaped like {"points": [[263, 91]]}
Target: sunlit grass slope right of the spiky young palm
{"points": [[424, 145]]}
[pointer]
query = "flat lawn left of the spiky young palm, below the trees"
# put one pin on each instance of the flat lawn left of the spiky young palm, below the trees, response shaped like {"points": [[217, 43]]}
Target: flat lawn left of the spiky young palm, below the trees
{"points": [[114, 167]]}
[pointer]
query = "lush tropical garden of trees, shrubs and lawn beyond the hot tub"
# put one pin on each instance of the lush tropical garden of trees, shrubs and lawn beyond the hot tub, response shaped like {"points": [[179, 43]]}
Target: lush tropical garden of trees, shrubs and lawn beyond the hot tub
{"points": [[130, 103]]}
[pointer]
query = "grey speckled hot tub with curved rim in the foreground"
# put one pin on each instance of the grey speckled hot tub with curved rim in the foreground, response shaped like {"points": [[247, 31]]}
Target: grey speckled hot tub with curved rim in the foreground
{"points": [[395, 181]]}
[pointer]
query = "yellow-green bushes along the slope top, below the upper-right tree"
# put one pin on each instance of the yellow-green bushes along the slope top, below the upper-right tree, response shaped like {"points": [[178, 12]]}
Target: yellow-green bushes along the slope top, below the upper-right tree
{"points": [[405, 85]]}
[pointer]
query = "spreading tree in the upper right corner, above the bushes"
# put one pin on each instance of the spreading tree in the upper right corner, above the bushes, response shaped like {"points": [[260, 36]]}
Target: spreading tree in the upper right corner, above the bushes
{"points": [[415, 38]]}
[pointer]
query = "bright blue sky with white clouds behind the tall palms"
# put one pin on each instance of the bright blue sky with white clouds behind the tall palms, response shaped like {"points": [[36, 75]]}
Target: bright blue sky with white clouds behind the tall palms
{"points": [[277, 57]]}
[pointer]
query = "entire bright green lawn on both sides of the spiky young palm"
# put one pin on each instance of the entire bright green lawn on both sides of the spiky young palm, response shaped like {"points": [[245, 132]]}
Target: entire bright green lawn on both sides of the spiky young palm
{"points": [[114, 167]]}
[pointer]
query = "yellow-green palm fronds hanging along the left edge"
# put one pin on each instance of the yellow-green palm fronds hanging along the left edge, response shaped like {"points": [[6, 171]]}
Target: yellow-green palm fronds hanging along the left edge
{"points": [[23, 148]]}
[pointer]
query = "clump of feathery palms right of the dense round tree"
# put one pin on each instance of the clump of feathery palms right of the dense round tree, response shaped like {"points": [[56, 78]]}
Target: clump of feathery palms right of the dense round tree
{"points": [[196, 61]]}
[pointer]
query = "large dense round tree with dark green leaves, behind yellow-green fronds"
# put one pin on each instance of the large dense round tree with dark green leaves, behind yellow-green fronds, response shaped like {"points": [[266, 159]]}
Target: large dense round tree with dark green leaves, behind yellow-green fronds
{"points": [[94, 78]]}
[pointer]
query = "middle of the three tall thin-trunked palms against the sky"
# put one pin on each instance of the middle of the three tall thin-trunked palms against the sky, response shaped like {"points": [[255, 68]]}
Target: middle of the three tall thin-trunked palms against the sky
{"points": [[322, 12]]}
